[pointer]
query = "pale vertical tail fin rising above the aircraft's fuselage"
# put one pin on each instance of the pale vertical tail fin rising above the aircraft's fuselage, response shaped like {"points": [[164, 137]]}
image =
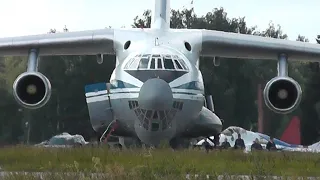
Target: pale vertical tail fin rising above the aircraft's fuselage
{"points": [[161, 14]]}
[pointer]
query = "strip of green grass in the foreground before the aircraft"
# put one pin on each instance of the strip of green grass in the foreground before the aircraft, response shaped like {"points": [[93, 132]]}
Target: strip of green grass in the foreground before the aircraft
{"points": [[160, 163]]}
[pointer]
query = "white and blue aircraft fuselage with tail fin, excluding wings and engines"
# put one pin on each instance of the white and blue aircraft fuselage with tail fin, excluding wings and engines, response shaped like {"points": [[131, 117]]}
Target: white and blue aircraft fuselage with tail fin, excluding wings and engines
{"points": [[156, 89]]}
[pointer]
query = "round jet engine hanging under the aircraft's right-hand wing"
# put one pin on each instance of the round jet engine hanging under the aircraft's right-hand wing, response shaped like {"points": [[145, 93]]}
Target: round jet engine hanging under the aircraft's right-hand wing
{"points": [[282, 94]]}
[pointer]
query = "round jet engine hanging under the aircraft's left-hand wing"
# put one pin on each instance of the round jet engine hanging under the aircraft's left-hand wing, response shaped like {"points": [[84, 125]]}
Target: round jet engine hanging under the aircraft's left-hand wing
{"points": [[32, 90]]}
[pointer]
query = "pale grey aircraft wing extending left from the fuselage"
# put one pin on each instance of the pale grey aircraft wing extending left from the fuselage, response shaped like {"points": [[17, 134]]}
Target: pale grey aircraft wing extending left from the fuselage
{"points": [[66, 43]]}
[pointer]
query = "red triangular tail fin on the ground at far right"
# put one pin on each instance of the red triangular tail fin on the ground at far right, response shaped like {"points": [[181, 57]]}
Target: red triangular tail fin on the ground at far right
{"points": [[292, 133]]}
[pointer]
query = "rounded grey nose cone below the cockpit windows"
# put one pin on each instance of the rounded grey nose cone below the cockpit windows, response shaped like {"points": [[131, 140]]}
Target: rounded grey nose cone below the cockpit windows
{"points": [[155, 94]]}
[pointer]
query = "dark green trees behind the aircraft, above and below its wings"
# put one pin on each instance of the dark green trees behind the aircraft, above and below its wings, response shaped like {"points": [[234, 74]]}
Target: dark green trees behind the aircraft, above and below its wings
{"points": [[233, 85]]}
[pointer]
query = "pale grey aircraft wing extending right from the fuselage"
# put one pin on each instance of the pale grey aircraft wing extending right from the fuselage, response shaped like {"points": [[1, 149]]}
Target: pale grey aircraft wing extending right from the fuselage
{"points": [[236, 45]]}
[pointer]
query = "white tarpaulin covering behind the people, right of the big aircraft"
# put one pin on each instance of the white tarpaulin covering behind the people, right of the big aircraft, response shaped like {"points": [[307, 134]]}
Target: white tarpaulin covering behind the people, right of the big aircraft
{"points": [[231, 133]]}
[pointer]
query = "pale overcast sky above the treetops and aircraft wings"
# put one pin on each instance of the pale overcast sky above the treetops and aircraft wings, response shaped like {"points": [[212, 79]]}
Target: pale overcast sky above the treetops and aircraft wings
{"points": [[85, 15]]}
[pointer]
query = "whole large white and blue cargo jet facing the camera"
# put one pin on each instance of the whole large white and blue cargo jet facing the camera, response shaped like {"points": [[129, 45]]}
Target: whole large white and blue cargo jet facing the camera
{"points": [[156, 90]]}
